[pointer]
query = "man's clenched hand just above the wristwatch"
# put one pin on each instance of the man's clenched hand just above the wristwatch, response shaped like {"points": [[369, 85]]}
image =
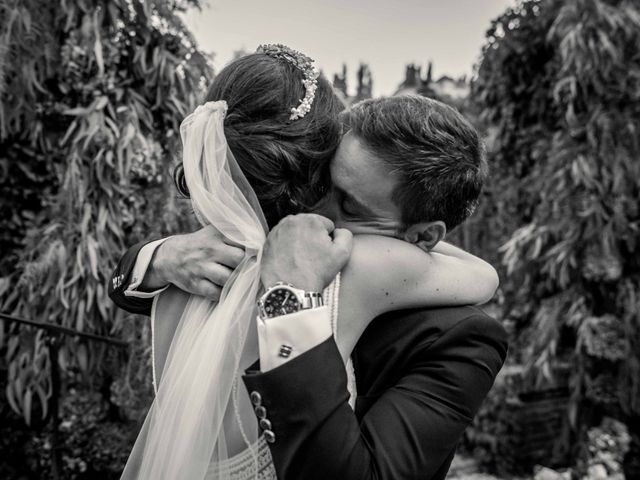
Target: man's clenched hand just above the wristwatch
{"points": [[306, 251]]}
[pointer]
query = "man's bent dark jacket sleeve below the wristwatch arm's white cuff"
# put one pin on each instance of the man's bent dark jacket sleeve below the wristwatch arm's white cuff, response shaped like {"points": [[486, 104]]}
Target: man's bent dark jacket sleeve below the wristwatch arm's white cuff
{"points": [[409, 432]]}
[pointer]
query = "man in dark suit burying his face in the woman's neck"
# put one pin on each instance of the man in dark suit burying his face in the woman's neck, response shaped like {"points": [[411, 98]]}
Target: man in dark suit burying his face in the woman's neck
{"points": [[421, 374]]}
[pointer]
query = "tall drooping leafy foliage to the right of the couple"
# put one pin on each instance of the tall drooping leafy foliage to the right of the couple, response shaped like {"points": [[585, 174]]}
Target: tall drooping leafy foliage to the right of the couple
{"points": [[559, 87]]}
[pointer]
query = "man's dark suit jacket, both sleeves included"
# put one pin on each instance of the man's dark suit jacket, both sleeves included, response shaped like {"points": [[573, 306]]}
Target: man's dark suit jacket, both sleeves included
{"points": [[421, 377]]}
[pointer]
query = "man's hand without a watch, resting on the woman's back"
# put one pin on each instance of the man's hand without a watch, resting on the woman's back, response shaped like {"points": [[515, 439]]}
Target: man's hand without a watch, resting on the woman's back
{"points": [[199, 263]]}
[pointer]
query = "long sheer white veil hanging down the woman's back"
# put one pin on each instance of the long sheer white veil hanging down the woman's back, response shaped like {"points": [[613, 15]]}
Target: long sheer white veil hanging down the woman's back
{"points": [[202, 415]]}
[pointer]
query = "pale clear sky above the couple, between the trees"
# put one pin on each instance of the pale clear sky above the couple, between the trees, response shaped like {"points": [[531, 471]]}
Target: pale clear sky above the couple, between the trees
{"points": [[387, 35]]}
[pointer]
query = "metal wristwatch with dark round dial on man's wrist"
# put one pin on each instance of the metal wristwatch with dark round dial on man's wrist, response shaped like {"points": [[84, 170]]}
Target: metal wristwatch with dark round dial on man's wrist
{"points": [[283, 299]]}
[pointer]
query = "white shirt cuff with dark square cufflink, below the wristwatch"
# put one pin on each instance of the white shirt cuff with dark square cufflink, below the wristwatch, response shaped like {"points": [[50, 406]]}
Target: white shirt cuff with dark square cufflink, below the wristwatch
{"points": [[283, 338]]}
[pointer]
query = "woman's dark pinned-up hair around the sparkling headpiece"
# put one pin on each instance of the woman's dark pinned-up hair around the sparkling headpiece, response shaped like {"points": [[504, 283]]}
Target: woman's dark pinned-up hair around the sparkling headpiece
{"points": [[285, 161]]}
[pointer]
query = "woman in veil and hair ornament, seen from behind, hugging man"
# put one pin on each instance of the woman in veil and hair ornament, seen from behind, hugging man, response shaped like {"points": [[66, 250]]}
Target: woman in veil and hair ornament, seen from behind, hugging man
{"points": [[251, 155]]}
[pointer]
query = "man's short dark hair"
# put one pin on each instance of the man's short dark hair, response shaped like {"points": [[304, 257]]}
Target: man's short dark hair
{"points": [[431, 147]]}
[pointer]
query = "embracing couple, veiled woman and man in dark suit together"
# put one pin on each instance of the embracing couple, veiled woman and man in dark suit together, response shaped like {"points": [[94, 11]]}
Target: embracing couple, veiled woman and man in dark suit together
{"points": [[283, 347]]}
